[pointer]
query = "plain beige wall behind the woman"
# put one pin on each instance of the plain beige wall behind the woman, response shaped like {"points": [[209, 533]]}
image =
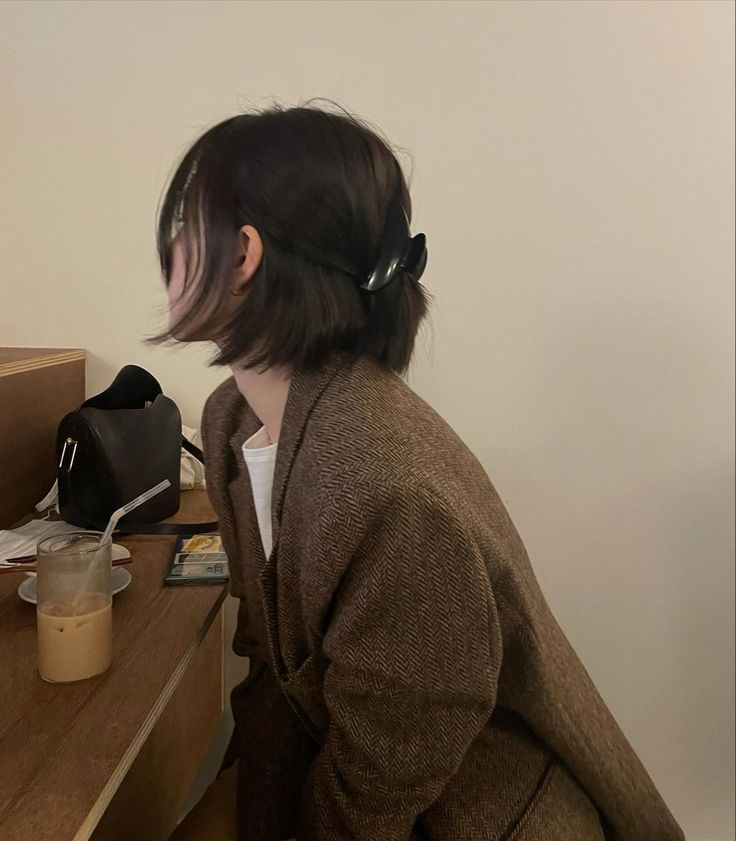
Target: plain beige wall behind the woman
{"points": [[573, 169]]}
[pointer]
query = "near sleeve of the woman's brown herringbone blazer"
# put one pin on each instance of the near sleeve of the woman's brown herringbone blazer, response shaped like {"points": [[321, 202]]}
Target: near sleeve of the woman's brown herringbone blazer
{"points": [[414, 651]]}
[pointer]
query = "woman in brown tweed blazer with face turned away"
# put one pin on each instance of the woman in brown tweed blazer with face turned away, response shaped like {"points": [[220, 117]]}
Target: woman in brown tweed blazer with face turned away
{"points": [[407, 679]]}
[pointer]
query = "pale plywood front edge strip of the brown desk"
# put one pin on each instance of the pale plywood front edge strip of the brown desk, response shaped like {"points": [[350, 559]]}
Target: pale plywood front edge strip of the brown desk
{"points": [[108, 792]]}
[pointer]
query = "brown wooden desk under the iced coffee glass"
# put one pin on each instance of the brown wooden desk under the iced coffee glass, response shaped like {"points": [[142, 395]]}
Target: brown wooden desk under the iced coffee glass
{"points": [[113, 757]]}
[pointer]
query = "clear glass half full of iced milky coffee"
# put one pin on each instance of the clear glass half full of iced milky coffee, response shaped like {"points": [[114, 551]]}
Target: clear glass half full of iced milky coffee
{"points": [[74, 609]]}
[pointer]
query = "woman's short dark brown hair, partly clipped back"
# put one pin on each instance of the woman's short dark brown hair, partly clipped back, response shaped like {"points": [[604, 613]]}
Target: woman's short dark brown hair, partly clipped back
{"points": [[316, 186]]}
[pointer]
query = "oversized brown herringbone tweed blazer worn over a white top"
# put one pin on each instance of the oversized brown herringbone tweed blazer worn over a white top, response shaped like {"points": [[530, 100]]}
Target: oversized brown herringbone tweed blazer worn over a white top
{"points": [[408, 680]]}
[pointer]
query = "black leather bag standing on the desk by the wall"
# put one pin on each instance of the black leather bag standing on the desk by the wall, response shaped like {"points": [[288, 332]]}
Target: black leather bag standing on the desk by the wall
{"points": [[117, 445]]}
